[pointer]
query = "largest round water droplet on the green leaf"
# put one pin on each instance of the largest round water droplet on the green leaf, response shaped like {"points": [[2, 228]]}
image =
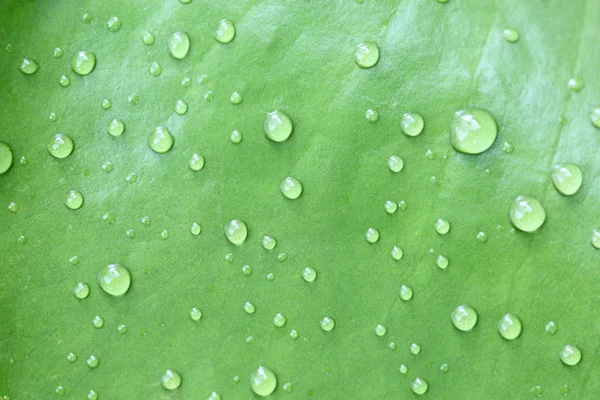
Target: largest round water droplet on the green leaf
{"points": [[472, 130]]}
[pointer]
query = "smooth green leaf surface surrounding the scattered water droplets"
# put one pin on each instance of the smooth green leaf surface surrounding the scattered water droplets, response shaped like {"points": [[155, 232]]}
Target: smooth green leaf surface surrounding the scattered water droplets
{"points": [[297, 57]]}
